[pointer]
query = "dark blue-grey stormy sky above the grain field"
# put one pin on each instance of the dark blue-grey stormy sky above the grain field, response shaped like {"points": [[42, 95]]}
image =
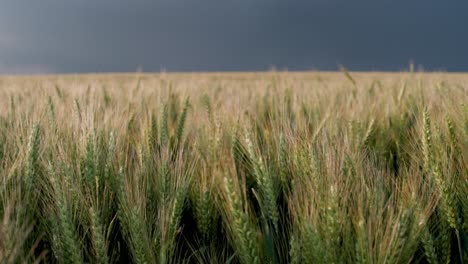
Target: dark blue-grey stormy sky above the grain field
{"points": [[68, 36]]}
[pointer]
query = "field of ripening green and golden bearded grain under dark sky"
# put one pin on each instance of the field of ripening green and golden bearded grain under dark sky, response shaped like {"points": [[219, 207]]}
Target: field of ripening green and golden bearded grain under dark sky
{"points": [[234, 168]]}
